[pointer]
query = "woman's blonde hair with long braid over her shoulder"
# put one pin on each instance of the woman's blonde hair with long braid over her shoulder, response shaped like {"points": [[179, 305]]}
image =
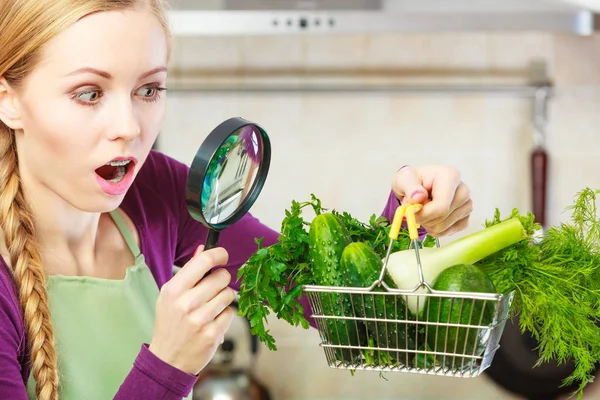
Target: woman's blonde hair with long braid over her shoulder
{"points": [[25, 26]]}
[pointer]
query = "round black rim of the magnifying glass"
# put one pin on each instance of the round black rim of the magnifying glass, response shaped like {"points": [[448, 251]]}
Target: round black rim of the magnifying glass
{"points": [[200, 164]]}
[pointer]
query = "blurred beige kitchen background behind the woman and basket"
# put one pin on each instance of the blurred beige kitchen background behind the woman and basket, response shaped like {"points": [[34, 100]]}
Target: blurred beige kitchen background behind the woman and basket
{"points": [[351, 90]]}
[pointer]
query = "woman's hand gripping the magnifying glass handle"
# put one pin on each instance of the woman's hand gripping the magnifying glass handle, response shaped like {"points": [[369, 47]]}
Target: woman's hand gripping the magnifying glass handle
{"points": [[193, 313]]}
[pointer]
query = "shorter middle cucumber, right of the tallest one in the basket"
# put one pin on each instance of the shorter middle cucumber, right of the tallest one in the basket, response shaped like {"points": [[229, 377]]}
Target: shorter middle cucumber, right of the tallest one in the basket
{"points": [[361, 267]]}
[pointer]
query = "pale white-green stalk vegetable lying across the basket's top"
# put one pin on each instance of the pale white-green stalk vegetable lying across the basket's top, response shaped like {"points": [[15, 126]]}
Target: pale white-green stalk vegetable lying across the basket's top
{"points": [[403, 268]]}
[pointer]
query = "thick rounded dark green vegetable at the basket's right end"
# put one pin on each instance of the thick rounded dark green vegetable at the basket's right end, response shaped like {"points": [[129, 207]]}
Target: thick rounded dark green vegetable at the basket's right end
{"points": [[468, 341]]}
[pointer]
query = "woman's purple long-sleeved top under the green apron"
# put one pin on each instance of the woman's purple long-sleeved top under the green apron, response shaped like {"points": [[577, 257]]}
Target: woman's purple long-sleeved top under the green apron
{"points": [[168, 236]]}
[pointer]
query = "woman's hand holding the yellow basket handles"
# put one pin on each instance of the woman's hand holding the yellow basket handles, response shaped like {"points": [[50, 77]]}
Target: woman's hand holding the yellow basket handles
{"points": [[447, 200]]}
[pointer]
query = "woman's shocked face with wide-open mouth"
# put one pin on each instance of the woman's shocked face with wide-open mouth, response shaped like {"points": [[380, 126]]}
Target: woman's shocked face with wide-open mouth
{"points": [[92, 108]]}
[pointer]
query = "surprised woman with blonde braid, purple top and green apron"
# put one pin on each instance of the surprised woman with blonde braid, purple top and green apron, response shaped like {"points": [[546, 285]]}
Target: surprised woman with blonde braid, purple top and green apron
{"points": [[92, 220]]}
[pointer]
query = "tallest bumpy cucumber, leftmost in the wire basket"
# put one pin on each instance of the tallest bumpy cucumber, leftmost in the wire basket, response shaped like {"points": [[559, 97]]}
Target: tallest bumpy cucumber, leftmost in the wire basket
{"points": [[327, 239]]}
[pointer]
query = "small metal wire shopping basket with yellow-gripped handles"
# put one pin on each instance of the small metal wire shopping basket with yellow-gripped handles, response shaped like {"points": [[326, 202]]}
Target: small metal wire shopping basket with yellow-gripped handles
{"points": [[372, 328]]}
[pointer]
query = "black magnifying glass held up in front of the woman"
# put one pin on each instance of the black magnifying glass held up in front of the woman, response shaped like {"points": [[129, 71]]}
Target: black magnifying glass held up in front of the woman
{"points": [[227, 175]]}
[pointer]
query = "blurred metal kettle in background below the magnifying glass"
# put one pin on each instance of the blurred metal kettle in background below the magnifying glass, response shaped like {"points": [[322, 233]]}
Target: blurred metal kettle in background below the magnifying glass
{"points": [[230, 374]]}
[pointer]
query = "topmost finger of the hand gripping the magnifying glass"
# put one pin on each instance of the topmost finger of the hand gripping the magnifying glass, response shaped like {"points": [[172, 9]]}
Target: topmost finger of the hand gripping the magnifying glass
{"points": [[196, 268]]}
